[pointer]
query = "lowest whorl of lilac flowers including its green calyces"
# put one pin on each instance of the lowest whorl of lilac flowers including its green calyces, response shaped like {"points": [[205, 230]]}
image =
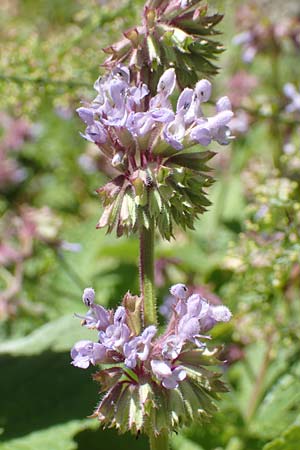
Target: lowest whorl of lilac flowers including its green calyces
{"points": [[152, 380]]}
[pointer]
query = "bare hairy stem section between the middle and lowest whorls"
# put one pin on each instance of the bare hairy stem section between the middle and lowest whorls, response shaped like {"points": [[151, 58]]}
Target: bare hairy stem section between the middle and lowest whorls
{"points": [[147, 273]]}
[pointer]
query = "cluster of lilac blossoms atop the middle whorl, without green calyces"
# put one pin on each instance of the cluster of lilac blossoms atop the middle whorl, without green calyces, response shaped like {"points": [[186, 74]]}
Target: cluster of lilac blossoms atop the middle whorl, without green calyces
{"points": [[118, 117]]}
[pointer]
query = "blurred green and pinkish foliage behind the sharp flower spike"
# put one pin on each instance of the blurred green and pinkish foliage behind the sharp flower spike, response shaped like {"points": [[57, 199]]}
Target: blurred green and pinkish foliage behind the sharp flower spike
{"points": [[245, 250]]}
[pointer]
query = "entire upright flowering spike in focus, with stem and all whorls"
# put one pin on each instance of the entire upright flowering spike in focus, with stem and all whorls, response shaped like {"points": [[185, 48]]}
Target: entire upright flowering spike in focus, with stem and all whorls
{"points": [[154, 383]]}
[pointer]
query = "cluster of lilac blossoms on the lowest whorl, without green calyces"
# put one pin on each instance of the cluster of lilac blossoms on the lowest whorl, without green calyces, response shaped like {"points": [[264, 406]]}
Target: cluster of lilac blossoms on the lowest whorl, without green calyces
{"points": [[161, 357]]}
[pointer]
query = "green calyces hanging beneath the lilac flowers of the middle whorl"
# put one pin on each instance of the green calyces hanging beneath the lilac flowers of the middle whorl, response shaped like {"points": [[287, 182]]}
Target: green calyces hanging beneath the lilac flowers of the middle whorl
{"points": [[172, 194]]}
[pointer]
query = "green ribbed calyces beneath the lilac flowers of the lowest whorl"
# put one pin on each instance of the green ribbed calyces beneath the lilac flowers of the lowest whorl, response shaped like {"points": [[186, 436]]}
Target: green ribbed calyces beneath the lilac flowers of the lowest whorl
{"points": [[144, 406]]}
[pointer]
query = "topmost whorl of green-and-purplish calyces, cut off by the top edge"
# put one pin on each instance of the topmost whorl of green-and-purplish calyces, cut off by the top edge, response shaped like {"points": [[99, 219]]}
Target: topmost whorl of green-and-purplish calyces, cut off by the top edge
{"points": [[176, 33]]}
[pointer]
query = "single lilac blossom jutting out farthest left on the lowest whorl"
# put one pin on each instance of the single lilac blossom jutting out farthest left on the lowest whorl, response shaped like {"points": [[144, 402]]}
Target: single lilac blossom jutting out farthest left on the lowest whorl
{"points": [[85, 353]]}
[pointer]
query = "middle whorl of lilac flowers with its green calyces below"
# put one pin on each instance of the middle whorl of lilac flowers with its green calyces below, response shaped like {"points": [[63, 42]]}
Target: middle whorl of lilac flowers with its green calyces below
{"points": [[153, 147]]}
